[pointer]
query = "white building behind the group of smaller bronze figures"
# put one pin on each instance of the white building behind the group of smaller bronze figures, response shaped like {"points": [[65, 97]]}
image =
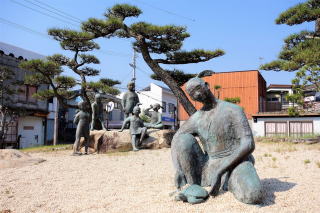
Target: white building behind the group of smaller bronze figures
{"points": [[162, 95]]}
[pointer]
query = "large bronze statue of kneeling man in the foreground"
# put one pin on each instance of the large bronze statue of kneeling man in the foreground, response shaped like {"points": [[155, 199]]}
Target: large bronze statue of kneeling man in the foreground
{"points": [[227, 141]]}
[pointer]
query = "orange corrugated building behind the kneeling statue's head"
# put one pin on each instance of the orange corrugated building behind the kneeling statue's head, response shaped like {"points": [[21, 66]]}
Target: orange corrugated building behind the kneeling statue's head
{"points": [[249, 85]]}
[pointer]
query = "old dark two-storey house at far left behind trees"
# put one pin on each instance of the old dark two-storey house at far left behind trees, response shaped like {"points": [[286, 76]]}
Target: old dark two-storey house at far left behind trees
{"points": [[29, 130]]}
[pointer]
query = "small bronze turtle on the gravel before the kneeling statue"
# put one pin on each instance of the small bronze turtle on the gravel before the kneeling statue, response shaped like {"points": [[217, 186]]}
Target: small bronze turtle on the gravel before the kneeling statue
{"points": [[193, 194]]}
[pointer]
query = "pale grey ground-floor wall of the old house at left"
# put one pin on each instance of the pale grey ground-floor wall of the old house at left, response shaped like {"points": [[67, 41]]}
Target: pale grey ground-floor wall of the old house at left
{"points": [[29, 135]]}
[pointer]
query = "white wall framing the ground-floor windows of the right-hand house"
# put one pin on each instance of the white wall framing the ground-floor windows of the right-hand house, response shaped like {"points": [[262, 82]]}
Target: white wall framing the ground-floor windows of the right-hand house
{"points": [[258, 129]]}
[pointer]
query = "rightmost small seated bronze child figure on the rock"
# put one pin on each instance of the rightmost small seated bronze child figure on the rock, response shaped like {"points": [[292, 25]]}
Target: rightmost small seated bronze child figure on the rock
{"points": [[155, 116]]}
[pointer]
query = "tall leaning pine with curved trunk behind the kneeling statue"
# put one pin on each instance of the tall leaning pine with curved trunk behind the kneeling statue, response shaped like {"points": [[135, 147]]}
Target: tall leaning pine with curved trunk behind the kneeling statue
{"points": [[150, 39]]}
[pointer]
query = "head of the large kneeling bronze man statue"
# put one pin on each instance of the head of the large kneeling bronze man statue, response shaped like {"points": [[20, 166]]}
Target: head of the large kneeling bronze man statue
{"points": [[197, 89]]}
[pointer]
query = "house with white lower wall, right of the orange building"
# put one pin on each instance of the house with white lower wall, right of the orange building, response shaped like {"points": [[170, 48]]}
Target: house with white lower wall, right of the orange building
{"points": [[273, 119]]}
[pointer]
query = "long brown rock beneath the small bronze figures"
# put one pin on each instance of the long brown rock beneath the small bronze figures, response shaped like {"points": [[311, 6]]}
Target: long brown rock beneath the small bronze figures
{"points": [[106, 141]]}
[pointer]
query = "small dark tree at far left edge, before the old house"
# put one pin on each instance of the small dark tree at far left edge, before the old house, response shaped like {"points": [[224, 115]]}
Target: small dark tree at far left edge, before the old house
{"points": [[8, 89]]}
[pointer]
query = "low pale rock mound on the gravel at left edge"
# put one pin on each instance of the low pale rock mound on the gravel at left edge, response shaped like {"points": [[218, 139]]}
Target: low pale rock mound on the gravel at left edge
{"points": [[13, 158]]}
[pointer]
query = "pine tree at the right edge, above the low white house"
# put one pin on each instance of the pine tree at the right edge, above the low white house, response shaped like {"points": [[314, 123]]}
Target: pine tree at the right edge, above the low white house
{"points": [[301, 51]]}
